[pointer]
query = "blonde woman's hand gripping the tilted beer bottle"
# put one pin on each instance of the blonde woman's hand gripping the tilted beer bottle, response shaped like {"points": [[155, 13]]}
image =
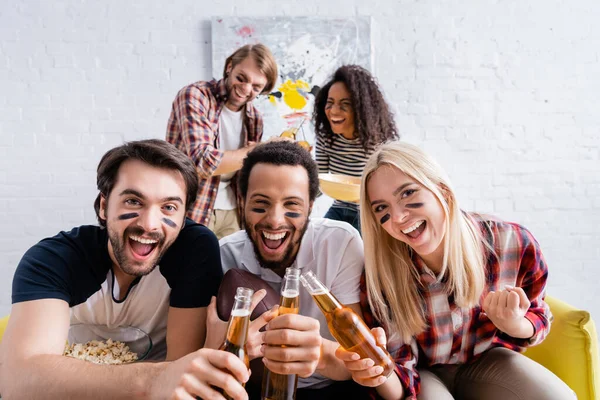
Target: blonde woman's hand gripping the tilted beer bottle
{"points": [[364, 371]]}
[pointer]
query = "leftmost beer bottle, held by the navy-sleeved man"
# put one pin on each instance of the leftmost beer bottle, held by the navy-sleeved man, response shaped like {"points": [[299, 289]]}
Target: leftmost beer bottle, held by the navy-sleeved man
{"points": [[237, 330]]}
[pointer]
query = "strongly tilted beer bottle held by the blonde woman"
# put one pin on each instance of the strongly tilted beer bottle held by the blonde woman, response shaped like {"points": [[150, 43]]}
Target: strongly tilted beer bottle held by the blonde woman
{"points": [[345, 326]]}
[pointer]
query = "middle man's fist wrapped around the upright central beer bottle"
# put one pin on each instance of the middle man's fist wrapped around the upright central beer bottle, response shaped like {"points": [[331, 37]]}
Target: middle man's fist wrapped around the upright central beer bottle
{"points": [[302, 340]]}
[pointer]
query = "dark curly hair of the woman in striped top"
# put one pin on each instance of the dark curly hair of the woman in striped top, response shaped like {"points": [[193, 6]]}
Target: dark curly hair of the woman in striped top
{"points": [[373, 120]]}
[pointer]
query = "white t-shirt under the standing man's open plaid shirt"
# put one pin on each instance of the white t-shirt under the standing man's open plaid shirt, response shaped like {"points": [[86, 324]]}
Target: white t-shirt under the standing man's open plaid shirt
{"points": [[230, 138]]}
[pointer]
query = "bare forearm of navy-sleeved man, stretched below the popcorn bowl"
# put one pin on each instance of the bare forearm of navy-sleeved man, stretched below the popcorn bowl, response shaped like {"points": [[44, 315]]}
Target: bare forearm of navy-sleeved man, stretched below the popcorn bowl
{"points": [[62, 378]]}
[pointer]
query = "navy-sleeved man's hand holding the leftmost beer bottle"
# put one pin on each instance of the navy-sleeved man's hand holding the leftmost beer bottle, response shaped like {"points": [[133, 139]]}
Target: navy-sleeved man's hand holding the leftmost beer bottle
{"points": [[201, 374]]}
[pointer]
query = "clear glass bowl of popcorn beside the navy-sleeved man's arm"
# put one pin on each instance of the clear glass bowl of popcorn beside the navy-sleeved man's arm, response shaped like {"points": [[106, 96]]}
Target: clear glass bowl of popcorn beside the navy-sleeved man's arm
{"points": [[102, 345]]}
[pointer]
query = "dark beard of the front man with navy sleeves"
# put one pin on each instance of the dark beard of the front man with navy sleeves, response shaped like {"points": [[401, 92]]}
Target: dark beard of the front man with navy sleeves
{"points": [[133, 267]]}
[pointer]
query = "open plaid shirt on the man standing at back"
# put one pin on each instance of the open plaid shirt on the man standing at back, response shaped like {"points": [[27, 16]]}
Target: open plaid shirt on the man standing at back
{"points": [[194, 129]]}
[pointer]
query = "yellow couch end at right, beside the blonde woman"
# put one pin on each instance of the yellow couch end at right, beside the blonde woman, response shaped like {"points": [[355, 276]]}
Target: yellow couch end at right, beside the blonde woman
{"points": [[571, 349]]}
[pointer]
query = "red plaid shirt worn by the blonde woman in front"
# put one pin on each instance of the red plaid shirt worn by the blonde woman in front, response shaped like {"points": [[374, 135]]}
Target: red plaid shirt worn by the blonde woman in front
{"points": [[457, 336]]}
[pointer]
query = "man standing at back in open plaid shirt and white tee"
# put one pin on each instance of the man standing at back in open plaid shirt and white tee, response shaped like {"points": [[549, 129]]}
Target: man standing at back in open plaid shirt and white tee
{"points": [[215, 124]]}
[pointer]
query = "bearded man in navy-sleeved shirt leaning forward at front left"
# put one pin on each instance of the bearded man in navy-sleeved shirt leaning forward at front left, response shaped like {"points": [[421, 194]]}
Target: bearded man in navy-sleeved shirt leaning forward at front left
{"points": [[145, 266]]}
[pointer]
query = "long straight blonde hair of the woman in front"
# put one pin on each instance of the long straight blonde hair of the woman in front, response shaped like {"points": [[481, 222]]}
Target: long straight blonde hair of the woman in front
{"points": [[392, 279]]}
